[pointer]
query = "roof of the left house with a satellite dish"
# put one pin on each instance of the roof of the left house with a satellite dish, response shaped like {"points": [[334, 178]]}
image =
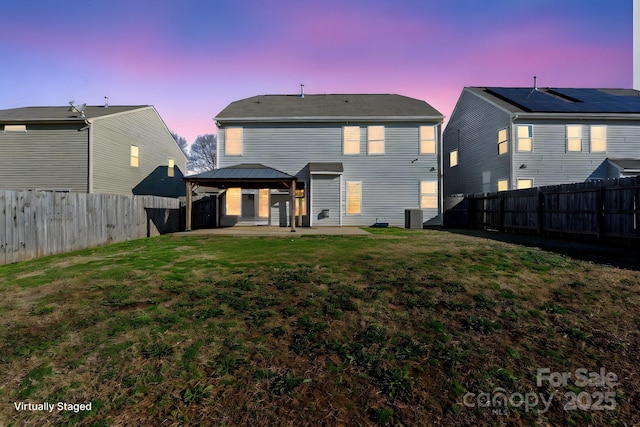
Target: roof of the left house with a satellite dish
{"points": [[33, 114]]}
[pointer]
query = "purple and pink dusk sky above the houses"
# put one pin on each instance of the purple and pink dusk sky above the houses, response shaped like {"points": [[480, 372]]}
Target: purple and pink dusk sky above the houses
{"points": [[191, 58]]}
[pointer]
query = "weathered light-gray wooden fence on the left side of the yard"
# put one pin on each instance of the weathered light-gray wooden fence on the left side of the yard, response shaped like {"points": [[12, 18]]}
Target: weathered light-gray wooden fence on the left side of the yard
{"points": [[36, 223]]}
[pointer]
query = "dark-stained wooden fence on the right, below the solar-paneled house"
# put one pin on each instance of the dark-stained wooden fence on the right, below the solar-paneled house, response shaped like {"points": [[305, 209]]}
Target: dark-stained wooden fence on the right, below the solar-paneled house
{"points": [[602, 210]]}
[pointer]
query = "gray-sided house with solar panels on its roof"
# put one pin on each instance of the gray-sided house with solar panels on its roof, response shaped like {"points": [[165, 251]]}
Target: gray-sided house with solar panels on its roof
{"points": [[502, 138]]}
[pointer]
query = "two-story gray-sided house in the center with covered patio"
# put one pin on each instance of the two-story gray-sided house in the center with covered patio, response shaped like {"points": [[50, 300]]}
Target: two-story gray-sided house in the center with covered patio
{"points": [[353, 159]]}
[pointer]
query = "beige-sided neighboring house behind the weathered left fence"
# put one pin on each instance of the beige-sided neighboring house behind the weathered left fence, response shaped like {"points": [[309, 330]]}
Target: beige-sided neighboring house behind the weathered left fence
{"points": [[86, 149]]}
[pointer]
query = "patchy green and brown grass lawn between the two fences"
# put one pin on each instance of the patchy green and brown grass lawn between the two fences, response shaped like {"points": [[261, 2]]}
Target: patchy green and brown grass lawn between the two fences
{"points": [[402, 327]]}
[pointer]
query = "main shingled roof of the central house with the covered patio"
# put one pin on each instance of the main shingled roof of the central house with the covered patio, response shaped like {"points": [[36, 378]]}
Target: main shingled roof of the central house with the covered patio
{"points": [[289, 108]]}
